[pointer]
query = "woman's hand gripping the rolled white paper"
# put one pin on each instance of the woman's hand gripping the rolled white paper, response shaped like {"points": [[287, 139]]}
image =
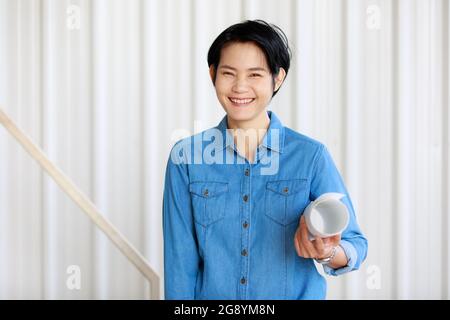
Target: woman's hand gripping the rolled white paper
{"points": [[319, 248]]}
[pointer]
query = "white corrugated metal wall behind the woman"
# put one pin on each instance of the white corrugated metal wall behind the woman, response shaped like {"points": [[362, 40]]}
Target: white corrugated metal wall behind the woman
{"points": [[107, 100]]}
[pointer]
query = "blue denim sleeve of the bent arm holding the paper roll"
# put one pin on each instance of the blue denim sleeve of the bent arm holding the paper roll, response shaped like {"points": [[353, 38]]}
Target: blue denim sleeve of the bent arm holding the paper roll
{"points": [[326, 178]]}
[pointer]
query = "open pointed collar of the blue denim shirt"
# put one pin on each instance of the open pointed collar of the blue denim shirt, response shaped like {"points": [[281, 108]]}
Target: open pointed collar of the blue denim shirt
{"points": [[275, 131]]}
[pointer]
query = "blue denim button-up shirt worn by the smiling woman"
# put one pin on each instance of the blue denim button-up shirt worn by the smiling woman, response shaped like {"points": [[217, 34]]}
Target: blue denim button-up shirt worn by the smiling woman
{"points": [[229, 224]]}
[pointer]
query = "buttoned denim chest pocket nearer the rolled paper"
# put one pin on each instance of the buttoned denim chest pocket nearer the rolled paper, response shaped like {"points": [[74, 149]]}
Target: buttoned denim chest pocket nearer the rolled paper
{"points": [[286, 199]]}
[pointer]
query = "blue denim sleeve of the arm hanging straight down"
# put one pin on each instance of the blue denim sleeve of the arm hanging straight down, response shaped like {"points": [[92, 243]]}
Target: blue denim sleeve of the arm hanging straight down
{"points": [[181, 258]]}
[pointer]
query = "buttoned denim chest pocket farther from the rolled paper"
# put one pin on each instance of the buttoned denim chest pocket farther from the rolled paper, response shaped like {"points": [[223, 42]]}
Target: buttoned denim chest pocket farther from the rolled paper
{"points": [[208, 201]]}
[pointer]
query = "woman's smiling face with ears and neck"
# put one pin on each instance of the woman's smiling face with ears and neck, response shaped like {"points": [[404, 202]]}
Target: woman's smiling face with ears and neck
{"points": [[244, 84]]}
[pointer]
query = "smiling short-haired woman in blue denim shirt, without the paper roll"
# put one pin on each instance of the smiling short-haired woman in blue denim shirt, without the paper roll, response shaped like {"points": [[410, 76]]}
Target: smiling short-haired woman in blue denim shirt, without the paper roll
{"points": [[235, 194]]}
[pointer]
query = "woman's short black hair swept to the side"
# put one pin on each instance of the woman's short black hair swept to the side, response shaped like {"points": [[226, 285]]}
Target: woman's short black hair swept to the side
{"points": [[269, 37]]}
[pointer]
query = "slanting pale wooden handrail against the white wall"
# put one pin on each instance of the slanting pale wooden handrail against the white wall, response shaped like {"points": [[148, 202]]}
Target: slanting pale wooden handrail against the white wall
{"points": [[118, 239]]}
